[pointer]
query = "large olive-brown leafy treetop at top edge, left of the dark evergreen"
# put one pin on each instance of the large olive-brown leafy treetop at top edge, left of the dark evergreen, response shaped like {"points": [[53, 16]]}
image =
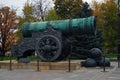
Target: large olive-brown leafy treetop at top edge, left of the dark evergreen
{"points": [[67, 8]]}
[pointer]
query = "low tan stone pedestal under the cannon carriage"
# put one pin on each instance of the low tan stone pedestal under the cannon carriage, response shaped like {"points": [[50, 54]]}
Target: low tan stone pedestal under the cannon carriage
{"points": [[62, 65]]}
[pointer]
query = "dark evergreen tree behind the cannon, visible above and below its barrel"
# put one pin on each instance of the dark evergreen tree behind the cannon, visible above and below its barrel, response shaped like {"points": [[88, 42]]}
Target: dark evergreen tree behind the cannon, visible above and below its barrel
{"points": [[86, 42]]}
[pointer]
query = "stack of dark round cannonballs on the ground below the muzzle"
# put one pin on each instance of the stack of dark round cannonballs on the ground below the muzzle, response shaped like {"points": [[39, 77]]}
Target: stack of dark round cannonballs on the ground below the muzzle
{"points": [[96, 59]]}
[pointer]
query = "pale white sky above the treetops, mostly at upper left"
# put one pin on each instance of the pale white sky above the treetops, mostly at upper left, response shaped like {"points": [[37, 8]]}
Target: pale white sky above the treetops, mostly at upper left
{"points": [[18, 4]]}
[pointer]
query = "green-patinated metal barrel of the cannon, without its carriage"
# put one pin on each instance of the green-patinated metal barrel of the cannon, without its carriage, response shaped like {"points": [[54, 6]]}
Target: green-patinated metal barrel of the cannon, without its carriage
{"points": [[69, 26]]}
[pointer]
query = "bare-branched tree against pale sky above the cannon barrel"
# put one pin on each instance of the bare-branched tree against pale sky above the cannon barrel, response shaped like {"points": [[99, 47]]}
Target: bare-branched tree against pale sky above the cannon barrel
{"points": [[41, 7]]}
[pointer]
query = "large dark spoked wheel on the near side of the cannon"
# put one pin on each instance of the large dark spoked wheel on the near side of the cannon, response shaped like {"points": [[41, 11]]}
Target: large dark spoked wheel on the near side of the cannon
{"points": [[49, 48]]}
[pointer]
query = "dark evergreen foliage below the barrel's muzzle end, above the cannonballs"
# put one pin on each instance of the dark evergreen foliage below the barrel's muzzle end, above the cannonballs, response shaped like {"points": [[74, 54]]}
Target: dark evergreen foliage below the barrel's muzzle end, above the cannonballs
{"points": [[86, 42]]}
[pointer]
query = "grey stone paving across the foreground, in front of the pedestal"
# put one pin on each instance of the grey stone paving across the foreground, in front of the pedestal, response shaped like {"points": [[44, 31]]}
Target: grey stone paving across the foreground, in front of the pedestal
{"points": [[86, 74]]}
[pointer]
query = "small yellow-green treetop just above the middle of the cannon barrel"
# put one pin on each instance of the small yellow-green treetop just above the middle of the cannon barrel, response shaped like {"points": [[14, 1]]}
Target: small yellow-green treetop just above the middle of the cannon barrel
{"points": [[52, 15]]}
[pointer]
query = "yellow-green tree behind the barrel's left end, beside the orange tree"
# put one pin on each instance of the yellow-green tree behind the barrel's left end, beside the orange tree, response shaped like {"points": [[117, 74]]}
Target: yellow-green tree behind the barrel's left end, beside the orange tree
{"points": [[27, 17]]}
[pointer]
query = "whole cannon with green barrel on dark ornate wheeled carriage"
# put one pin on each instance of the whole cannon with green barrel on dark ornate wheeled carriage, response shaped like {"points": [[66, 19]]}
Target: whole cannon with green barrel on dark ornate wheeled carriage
{"points": [[50, 39]]}
